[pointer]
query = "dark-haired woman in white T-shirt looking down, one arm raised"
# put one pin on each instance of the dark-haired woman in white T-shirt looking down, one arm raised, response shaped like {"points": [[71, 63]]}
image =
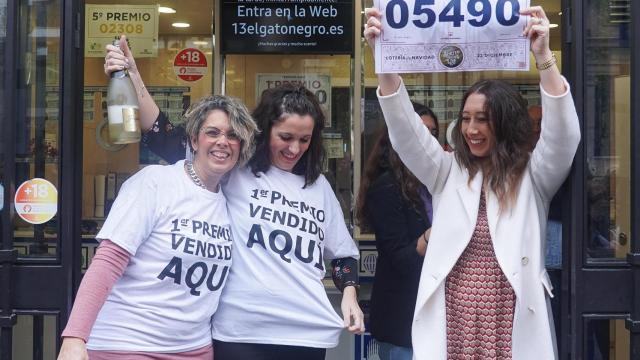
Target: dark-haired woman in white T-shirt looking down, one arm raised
{"points": [[286, 222]]}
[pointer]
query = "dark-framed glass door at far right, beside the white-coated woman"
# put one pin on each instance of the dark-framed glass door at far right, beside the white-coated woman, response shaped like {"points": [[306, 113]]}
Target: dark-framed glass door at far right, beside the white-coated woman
{"points": [[603, 263]]}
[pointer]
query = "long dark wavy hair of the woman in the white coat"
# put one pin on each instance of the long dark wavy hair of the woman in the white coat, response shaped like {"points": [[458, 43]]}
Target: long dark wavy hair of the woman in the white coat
{"points": [[511, 127]]}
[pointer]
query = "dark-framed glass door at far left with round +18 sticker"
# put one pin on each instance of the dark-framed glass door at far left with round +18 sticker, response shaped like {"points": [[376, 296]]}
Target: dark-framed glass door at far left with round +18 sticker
{"points": [[37, 174]]}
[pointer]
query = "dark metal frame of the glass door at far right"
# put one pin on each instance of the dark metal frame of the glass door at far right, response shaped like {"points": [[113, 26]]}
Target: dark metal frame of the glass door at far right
{"points": [[602, 291]]}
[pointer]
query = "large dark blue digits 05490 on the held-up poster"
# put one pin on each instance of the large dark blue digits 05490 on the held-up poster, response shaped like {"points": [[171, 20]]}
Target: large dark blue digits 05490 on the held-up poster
{"points": [[480, 12]]}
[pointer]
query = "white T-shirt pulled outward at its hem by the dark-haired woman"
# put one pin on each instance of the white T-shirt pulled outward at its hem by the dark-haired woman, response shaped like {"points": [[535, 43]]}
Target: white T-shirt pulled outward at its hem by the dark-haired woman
{"points": [[282, 233]]}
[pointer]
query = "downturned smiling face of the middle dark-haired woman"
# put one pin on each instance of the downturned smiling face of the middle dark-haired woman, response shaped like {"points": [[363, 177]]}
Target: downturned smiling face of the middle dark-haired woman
{"points": [[290, 139]]}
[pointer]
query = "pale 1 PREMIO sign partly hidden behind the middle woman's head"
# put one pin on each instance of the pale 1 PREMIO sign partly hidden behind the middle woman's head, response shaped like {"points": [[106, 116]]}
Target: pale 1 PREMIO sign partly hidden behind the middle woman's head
{"points": [[319, 84]]}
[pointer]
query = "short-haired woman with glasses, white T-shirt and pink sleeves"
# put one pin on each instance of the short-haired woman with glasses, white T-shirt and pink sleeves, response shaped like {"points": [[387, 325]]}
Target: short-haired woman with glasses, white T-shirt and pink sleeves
{"points": [[165, 247]]}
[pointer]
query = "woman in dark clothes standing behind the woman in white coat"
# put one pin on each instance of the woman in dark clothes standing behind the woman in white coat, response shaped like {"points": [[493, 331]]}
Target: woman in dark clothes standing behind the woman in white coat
{"points": [[396, 206]]}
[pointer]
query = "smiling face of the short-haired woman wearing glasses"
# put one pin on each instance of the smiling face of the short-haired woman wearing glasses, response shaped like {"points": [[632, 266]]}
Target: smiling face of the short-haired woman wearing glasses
{"points": [[216, 147]]}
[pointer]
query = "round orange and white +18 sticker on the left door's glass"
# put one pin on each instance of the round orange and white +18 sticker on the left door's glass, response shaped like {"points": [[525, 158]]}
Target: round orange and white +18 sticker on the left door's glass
{"points": [[36, 201]]}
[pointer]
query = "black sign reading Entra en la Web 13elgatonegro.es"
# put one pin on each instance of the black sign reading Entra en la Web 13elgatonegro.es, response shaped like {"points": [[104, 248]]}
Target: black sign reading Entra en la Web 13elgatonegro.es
{"points": [[285, 26]]}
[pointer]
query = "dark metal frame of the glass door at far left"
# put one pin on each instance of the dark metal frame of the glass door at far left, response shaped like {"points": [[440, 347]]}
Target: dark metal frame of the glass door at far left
{"points": [[39, 287]]}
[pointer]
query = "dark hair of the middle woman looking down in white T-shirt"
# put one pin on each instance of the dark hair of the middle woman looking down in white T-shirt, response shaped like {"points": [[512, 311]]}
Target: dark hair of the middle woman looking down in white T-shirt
{"points": [[275, 105]]}
